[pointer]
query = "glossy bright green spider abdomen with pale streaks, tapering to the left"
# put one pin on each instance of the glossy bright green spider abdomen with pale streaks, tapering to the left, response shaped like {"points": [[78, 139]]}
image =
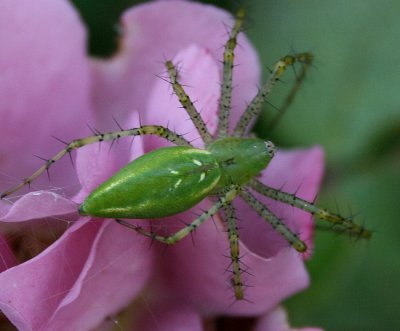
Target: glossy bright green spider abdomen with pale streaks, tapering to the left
{"points": [[161, 183]]}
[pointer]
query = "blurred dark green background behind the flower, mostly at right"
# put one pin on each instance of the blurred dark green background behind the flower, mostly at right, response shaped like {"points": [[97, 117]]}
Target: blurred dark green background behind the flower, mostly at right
{"points": [[349, 104]]}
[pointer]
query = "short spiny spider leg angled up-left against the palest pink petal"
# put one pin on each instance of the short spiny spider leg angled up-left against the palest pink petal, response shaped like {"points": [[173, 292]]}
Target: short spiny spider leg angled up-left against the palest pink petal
{"points": [[187, 103]]}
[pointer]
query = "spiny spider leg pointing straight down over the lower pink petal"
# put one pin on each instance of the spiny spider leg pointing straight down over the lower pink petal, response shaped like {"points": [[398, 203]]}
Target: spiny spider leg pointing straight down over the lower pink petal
{"points": [[233, 237]]}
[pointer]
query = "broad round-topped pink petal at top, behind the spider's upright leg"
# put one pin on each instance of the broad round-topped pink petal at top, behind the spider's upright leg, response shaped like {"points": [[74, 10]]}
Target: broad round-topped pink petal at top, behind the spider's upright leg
{"points": [[156, 31]]}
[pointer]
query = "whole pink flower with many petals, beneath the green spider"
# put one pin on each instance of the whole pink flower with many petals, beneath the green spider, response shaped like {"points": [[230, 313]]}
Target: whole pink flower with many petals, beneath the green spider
{"points": [[96, 267]]}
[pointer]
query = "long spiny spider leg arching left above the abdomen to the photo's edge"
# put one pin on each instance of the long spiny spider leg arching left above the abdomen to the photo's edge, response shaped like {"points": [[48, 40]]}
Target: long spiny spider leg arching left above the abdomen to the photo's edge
{"points": [[157, 130]]}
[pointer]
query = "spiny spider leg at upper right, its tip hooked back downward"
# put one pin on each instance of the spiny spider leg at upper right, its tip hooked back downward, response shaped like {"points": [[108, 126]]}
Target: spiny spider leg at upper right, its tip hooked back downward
{"points": [[254, 108]]}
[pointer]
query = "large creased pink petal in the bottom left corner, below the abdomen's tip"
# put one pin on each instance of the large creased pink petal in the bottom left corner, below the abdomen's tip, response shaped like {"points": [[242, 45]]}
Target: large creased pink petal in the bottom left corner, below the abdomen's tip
{"points": [[51, 291]]}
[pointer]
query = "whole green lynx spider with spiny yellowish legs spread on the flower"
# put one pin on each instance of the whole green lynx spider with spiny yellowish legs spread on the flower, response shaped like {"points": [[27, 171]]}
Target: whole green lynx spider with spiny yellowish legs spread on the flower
{"points": [[183, 175]]}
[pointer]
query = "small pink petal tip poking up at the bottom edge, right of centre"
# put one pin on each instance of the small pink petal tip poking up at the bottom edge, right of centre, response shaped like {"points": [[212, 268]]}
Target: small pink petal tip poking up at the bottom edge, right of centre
{"points": [[276, 320]]}
